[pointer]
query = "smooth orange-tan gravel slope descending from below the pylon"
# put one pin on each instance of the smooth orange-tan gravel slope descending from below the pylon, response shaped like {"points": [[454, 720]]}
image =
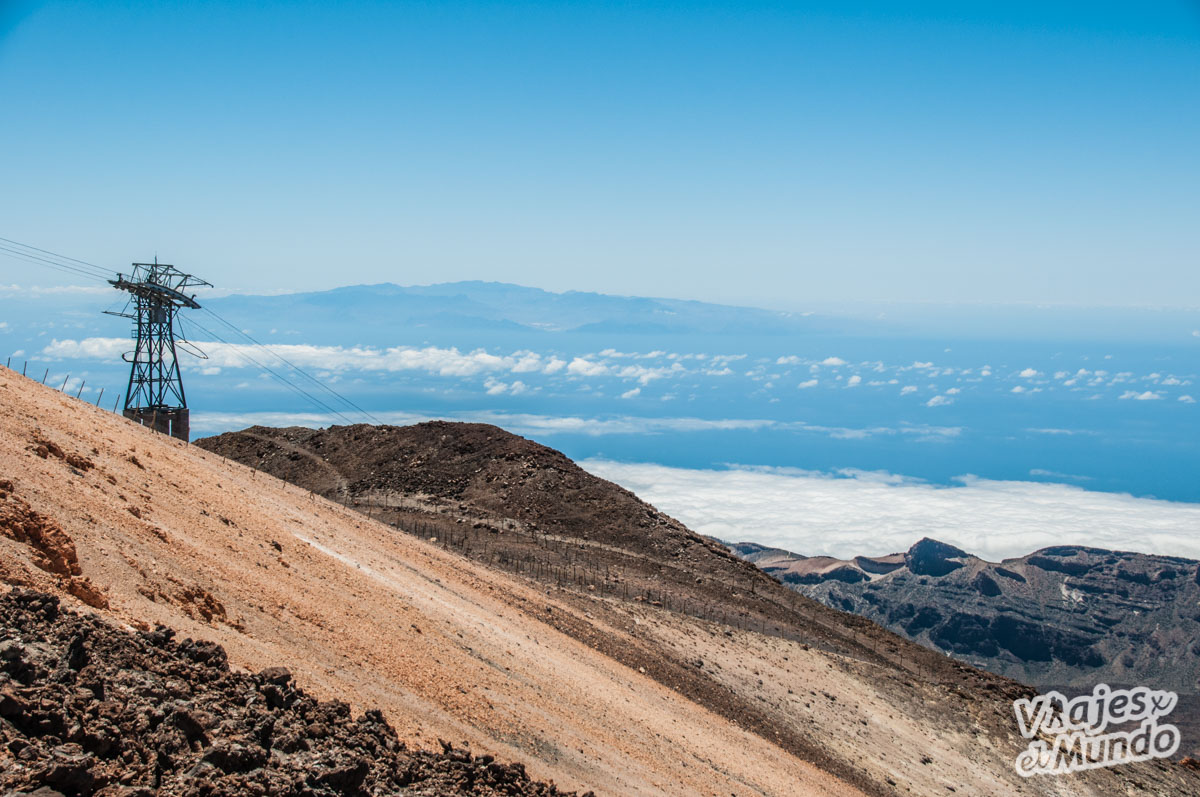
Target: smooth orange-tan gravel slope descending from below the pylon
{"points": [[167, 534]]}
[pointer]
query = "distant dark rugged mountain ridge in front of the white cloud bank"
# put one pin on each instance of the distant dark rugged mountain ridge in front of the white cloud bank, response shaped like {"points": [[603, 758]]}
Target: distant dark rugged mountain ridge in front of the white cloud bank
{"points": [[1063, 616]]}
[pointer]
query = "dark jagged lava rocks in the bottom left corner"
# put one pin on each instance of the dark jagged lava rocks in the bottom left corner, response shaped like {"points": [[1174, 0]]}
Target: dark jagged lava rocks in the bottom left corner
{"points": [[87, 709]]}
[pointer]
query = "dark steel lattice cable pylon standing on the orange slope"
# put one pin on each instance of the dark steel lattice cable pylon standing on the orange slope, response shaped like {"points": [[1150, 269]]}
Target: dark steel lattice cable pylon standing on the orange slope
{"points": [[155, 394]]}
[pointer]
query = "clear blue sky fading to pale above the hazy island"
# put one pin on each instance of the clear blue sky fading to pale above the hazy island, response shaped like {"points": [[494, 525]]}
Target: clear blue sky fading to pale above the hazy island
{"points": [[767, 154]]}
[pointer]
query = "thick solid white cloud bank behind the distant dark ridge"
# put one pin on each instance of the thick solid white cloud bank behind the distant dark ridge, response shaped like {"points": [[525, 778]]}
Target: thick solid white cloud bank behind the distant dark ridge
{"points": [[849, 517]]}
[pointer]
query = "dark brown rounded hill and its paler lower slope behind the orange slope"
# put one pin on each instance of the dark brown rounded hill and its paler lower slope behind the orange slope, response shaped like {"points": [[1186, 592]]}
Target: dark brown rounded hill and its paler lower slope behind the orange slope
{"points": [[884, 714]]}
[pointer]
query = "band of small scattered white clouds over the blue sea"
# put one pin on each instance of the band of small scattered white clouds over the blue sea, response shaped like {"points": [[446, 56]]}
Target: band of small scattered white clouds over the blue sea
{"points": [[664, 376]]}
